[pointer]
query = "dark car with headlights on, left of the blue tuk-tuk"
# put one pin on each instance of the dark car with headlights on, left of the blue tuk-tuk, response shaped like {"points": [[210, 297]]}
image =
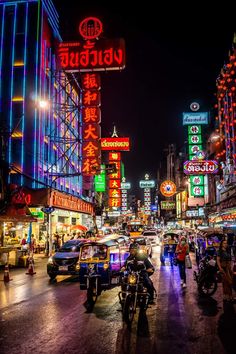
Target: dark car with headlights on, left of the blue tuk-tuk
{"points": [[66, 260]]}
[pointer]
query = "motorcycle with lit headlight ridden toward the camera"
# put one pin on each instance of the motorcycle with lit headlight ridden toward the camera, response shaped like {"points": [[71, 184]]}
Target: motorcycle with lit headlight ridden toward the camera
{"points": [[133, 293]]}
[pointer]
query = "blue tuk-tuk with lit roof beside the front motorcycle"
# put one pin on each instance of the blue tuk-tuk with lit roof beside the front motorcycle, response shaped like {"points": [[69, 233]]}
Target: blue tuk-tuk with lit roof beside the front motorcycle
{"points": [[100, 263]]}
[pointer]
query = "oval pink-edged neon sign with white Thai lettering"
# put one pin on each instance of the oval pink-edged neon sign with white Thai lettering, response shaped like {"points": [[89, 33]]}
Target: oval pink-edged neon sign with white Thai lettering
{"points": [[196, 167]]}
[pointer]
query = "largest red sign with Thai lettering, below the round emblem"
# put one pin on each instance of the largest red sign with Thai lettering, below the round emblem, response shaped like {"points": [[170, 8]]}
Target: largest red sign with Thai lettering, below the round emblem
{"points": [[91, 55]]}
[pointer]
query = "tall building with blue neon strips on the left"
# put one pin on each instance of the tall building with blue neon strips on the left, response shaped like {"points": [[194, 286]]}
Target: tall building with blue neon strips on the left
{"points": [[40, 110]]}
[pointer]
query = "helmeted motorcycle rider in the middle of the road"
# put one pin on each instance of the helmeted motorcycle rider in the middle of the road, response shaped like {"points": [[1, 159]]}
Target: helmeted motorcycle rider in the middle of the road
{"points": [[149, 268]]}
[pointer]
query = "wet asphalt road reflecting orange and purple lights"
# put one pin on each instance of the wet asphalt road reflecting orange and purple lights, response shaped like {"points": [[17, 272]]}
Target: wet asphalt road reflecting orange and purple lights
{"points": [[39, 317]]}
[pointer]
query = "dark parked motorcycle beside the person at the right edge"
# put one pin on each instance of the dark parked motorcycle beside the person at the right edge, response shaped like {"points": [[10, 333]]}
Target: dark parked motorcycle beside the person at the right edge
{"points": [[207, 276]]}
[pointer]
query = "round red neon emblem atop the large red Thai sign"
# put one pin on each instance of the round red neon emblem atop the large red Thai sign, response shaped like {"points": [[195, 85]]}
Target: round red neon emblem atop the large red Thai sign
{"points": [[90, 28]]}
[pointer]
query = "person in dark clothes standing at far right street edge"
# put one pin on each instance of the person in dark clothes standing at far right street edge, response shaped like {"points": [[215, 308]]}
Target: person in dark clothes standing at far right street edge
{"points": [[224, 264]]}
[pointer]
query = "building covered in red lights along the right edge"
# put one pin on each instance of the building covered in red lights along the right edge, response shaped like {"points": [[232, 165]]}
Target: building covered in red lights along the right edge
{"points": [[222, 146]]}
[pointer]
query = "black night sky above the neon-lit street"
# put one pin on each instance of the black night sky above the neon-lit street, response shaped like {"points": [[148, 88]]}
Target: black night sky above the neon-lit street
{"points": [[173, 57]]}
